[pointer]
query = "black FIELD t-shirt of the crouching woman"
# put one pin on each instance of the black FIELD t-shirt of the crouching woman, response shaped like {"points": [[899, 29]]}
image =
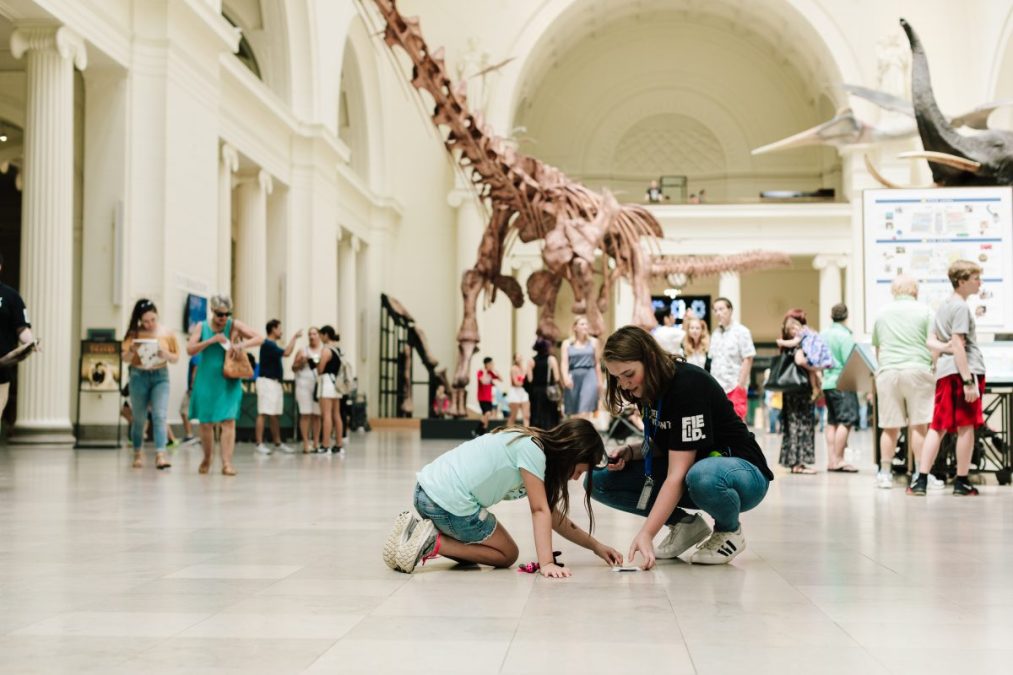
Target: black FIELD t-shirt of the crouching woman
{"points": [[696, 415]]}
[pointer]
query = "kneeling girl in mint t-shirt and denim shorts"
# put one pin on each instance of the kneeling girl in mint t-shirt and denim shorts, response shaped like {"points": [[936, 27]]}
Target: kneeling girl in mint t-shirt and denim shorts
{"points": [[455, 491]]}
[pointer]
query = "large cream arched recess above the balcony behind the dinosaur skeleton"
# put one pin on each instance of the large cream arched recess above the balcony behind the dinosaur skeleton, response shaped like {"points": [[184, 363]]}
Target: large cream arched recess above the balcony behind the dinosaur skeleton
{"points": [[729, 77]]}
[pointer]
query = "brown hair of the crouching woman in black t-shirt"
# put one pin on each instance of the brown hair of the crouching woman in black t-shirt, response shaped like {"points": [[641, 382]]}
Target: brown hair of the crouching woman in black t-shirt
{"points": [[633, 343]]}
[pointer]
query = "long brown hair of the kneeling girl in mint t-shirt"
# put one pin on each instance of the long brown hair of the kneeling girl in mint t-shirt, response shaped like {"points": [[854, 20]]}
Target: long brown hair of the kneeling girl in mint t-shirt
{"points": [[568, 444]]}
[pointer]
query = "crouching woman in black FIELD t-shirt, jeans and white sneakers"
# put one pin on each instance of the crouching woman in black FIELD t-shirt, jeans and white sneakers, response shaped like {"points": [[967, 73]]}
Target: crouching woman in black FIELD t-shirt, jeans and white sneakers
{"points": [[703, 456]]}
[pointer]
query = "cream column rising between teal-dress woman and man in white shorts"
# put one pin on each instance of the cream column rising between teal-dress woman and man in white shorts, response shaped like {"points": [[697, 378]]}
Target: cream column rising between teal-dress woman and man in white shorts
{"points": [[252, 251]]}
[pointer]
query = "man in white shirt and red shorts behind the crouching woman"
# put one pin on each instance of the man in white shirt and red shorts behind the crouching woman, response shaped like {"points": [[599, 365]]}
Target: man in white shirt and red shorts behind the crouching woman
{"points": [[732, 353]]}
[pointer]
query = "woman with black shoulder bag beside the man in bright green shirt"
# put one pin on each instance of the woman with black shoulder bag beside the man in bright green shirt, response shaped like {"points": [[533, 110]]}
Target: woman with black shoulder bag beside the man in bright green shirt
{"points": [[798, 421]]}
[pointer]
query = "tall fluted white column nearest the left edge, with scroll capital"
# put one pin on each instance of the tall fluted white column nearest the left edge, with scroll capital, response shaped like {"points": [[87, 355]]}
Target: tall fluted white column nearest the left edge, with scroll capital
{"points": [[47, 230]]}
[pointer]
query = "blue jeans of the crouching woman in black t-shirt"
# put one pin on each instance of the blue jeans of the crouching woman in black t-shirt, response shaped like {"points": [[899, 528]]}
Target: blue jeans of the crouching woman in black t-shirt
{"points": [[723, 487]]}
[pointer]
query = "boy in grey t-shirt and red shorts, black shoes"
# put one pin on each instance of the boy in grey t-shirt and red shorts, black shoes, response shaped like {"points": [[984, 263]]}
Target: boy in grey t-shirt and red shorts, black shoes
{"points": [[960, 381]]}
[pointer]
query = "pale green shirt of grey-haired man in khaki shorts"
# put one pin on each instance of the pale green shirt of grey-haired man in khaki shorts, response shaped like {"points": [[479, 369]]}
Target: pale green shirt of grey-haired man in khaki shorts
{"points": [[900, 334]]}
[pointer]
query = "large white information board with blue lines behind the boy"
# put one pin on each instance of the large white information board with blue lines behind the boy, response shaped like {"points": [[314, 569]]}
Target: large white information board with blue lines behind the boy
{"points": [[921, 233]]}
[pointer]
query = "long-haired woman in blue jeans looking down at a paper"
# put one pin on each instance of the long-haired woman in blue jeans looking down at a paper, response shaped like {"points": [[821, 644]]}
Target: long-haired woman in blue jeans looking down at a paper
{"points": [[149, 348]]}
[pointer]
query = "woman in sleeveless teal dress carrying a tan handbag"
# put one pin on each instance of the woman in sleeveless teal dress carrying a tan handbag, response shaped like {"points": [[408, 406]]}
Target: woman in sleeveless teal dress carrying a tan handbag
{"points": [[218, 392]]}
